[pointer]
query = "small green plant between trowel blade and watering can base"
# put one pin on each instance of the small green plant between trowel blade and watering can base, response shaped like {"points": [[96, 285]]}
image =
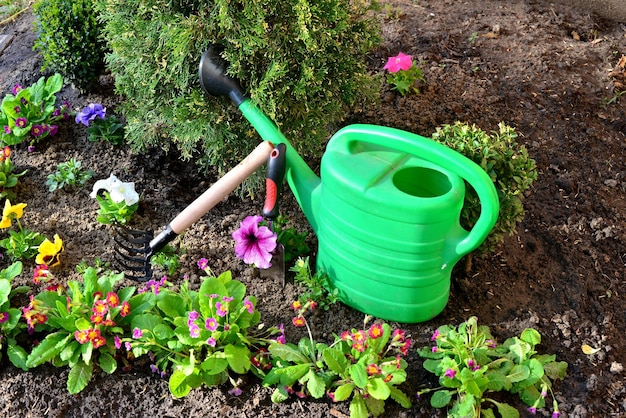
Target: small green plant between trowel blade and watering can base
{"points": [[318, 286]]}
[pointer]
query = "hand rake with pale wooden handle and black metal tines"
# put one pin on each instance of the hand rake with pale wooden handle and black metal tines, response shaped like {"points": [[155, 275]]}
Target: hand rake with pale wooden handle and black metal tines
{"points": [[135, 248]]}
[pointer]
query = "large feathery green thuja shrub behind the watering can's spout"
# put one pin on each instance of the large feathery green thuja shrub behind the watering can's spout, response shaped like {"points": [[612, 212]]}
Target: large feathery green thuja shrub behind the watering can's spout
{"points": [[302, 62]]}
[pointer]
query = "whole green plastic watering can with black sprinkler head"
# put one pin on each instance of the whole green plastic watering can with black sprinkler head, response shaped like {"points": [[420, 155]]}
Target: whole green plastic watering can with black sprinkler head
{"points": [[385, 210]]}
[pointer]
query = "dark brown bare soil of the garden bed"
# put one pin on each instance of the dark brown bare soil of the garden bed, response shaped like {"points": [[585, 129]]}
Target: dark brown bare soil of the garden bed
{"points": [[551, 71]]}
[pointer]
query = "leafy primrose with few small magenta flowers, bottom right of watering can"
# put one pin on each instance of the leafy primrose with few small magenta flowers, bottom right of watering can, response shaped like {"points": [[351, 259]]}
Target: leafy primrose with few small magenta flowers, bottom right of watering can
{"points": [[470, 365]]}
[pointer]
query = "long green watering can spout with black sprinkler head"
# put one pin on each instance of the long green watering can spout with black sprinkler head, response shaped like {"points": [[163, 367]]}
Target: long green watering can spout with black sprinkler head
{"points": [[303, 182]]}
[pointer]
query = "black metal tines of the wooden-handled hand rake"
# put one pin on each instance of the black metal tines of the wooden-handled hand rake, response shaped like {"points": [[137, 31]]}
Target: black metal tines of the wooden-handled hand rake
{"points": [[133, 251]]}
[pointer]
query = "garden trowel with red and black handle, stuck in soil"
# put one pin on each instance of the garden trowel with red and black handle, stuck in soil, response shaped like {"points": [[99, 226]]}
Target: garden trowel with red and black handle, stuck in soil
{"points": [[274, 178]]}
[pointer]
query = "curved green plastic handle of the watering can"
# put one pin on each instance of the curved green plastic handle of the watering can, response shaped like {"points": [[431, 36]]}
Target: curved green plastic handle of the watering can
{"points": [[444, 157]]}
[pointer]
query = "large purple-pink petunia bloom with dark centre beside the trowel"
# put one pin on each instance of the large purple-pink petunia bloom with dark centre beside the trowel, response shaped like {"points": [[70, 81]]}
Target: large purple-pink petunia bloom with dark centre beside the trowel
{"points": [[253, 243]]}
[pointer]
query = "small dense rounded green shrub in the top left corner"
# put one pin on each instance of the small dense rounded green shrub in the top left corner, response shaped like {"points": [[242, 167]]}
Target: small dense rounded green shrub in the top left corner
{"points": [[69, 40]]}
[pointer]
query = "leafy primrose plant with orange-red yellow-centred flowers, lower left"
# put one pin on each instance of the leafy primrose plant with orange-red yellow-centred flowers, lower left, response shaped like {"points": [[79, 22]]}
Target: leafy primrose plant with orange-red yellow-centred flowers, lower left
{"points": [[83, 325]]}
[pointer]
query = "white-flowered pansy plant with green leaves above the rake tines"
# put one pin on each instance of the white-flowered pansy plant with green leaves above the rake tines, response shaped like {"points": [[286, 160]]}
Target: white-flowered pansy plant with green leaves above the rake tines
{"points": [[118, 200]]}
